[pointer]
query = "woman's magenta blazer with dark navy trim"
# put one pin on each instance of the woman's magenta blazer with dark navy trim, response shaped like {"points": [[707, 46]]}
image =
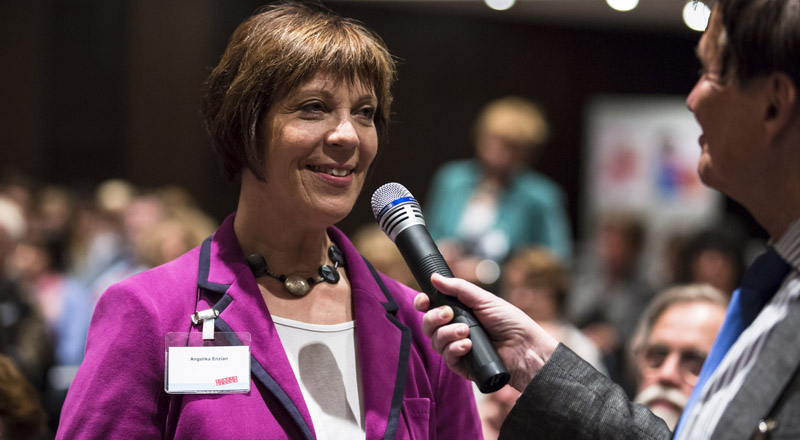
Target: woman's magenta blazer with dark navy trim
{"points": [[118, 393]]}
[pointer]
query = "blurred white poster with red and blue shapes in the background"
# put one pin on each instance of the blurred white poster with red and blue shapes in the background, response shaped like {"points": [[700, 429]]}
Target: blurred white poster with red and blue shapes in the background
{"points": [[641, 157]]}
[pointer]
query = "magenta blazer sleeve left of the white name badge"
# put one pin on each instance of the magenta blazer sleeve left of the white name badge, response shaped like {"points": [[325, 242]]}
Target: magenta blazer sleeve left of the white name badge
{"points": [[116, 391]]}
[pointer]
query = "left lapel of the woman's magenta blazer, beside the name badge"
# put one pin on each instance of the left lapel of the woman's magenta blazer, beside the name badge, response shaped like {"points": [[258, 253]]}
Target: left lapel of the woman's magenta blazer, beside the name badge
{"points": [[224, 273]]}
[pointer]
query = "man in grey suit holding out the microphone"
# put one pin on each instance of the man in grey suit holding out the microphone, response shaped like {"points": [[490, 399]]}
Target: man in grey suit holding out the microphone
{"points": [[747, 102]]}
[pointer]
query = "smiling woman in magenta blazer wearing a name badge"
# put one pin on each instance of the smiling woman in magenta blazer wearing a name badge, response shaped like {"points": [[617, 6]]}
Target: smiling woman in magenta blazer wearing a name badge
{"points": [[333, 348]]}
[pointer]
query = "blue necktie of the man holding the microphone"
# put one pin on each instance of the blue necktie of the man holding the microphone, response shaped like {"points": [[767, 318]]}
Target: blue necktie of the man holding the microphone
{"points": [[759, 284]]}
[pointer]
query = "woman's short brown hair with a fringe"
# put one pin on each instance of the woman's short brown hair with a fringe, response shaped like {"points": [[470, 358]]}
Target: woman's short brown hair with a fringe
{"points": [[269, 56]]}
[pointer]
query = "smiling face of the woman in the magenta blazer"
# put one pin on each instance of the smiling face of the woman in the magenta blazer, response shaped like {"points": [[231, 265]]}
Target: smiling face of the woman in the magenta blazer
{"points": [[321, 140]]}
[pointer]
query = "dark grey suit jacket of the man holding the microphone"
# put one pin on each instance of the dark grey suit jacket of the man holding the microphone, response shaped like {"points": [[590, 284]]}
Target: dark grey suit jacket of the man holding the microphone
{"points": [[568, 399]]}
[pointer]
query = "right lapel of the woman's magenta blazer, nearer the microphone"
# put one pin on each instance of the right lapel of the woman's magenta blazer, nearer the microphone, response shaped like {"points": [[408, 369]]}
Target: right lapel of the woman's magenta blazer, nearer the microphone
{"points": [[383, 344]]}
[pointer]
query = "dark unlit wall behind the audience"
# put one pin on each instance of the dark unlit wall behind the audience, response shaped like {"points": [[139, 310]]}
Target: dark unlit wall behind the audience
{"points": [[95, 89]]}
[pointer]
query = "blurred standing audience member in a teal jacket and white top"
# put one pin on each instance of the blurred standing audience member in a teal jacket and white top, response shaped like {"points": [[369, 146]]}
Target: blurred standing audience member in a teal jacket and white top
{"points": [[480, 210]]}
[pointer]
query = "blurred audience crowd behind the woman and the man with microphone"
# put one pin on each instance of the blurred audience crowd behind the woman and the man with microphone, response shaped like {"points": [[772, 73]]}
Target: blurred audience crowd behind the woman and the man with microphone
{"points": [[60, 249]]}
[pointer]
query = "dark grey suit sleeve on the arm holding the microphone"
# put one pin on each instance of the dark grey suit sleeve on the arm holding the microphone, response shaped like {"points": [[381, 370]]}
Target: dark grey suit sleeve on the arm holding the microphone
{"points": [[568, 398]]}
